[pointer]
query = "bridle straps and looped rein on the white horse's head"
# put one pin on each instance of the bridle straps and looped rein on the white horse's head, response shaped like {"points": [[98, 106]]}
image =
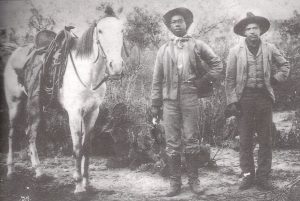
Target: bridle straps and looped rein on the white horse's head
{"points": [[103, 55]]}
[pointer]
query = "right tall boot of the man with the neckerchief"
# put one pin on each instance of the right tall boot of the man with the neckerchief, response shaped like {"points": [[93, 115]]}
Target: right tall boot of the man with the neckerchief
{"points": [[192, 172]]}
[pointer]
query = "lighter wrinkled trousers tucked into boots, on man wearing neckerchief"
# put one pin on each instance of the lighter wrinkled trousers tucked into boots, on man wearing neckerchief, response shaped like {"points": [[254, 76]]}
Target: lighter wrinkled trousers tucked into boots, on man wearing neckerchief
{"points": [[180, 118]]}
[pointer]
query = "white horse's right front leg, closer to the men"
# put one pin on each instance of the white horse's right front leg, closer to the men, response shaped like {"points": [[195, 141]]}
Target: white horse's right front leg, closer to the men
{"points": [[89, 122]]}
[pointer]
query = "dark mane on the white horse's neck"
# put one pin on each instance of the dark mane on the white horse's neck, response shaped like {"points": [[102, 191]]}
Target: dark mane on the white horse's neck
{"points": [[84, 45]]}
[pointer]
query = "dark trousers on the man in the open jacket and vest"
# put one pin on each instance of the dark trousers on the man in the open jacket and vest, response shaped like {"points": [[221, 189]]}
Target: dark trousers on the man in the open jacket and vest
{"points": [[256, 117]]}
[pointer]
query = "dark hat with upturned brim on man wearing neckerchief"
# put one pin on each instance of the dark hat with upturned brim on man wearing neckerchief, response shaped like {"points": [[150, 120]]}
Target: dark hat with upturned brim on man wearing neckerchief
{"points": [[184, 12]]}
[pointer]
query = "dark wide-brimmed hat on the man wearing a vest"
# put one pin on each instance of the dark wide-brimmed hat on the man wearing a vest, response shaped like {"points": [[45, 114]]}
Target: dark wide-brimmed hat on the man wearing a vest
{"points": [[263, 23]]}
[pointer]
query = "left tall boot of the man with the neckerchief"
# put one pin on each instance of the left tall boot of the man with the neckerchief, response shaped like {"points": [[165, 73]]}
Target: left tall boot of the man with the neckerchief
{"points": [[174, 163]]}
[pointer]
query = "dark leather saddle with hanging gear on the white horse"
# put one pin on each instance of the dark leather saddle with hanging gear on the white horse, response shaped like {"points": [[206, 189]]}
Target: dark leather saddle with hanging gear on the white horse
{"points": [[44, 69]]}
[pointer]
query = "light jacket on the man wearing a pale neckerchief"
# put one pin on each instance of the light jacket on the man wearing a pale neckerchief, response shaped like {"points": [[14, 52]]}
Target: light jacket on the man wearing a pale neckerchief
{"points": [[165, 75]]}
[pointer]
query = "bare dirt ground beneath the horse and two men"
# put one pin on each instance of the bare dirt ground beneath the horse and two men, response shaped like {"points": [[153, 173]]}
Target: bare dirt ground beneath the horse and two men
{"points": [[221, 183]]}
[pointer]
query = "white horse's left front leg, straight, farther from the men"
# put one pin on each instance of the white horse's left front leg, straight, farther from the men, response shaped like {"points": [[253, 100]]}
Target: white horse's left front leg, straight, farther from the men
{"points": [[75, 121]]}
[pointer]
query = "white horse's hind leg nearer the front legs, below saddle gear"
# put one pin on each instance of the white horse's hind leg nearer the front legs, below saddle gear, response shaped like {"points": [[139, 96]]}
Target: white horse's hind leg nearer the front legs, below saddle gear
{"points": [[34, 114]]}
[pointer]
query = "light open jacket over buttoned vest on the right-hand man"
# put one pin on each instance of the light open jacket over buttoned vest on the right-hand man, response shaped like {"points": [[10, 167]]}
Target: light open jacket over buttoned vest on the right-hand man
{"points": [[236, 71]]}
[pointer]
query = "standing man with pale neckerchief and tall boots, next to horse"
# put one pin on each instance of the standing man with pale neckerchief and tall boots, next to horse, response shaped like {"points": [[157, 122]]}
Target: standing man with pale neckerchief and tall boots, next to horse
{"points": [[179, 80]]}
